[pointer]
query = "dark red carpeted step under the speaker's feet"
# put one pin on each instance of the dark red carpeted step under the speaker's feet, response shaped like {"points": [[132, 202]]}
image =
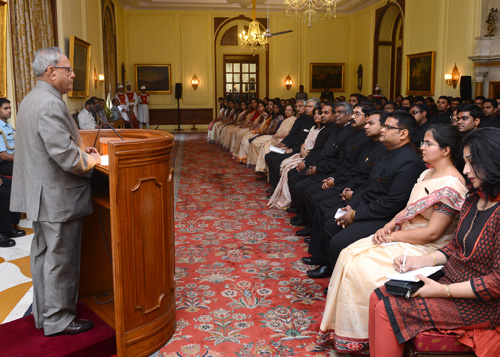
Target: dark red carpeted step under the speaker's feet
{"points": [[21, 338]]}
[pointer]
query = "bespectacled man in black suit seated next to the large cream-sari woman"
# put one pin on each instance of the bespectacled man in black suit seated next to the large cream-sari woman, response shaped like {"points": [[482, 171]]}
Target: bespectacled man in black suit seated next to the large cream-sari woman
{"points": [[387, 193]]}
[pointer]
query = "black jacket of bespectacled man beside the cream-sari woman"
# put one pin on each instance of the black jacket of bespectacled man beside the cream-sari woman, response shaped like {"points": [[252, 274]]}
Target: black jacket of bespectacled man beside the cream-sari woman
{"points": [[389, 186]]}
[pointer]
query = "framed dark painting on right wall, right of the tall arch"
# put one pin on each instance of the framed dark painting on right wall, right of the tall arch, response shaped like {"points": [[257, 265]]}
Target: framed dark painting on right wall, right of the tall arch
{"points": [[420, 69]]}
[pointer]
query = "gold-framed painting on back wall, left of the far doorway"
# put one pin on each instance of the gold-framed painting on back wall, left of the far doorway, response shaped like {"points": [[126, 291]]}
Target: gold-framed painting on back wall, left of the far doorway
{"points": [[156, 77]]}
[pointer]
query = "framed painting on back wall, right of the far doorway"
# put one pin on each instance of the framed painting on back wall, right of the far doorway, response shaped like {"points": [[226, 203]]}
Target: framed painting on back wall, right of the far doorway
{"points": [[327, 76]]}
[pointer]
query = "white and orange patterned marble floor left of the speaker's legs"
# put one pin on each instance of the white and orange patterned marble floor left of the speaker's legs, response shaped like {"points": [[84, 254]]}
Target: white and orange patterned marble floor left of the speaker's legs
{"points": [[16, 292]]}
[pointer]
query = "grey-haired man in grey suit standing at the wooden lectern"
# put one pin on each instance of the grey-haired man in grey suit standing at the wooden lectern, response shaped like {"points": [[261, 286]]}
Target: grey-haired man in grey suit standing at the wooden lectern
{"points": [[51, 184]]}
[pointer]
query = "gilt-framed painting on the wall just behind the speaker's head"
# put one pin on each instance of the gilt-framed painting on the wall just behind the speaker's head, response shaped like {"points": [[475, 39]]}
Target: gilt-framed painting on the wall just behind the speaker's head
{"points": [[79, 57]]}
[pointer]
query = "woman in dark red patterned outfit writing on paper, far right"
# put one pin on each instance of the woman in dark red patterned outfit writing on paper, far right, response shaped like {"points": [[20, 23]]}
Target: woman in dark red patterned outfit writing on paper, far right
{"points": [[468, 295]]}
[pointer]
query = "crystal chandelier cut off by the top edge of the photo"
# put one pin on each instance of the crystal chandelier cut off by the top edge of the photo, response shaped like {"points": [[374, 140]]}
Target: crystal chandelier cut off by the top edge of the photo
{"points": [[310, 9]]}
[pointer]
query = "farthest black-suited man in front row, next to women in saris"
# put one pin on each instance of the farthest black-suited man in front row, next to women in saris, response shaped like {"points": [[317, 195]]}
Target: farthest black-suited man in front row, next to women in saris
{"points": [[293, 142]]}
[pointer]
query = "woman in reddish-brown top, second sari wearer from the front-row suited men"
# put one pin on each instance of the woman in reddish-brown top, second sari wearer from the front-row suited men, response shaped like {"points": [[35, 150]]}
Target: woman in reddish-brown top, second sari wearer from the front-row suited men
{"points": [[273, 122]]}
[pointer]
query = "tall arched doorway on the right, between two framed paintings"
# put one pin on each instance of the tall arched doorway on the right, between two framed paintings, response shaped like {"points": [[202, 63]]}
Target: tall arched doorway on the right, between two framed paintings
{"points": [[388, 51]]}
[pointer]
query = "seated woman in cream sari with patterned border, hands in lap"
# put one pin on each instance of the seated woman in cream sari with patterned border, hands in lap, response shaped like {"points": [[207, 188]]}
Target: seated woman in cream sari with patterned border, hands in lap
{"points": [[427, 223]]}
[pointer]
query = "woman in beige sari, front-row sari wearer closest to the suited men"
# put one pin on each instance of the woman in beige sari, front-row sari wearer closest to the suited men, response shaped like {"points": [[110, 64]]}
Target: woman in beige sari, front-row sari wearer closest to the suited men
{"points": [[257, 153]]}
